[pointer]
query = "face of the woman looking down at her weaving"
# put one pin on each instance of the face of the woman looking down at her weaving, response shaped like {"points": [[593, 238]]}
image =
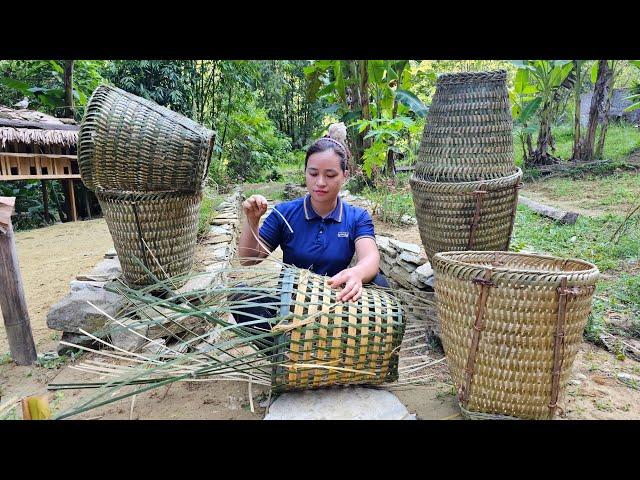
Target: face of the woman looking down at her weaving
{"points": [[324, 176]]}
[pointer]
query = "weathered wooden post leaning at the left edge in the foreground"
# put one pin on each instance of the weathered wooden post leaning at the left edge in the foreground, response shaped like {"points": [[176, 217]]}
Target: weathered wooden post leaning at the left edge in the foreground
{"points": [[12, 301]]}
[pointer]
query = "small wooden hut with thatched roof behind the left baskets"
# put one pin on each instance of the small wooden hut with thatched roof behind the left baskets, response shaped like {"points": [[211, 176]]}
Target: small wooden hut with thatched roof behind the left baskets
{"points": [[37, 146]]}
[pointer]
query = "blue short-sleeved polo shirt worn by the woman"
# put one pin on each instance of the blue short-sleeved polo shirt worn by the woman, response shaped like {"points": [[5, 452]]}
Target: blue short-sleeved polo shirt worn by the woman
{"points": [[322, 245]]}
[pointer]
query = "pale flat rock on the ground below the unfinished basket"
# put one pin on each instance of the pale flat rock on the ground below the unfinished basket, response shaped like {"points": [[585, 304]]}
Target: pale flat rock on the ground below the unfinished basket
{"points": [[339, 403]]}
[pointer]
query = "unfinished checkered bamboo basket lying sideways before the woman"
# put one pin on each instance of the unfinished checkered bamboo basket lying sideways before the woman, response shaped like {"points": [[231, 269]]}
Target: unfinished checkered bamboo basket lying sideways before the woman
{"points": [[328, 343]]}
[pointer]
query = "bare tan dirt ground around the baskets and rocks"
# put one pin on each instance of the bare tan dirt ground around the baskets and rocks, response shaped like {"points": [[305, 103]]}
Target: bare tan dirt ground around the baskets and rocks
{"points": [[50, 257]]}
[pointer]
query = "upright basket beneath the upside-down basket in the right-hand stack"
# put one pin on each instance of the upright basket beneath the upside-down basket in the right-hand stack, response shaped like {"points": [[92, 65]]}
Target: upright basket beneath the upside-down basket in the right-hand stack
{"points": [[467, 215]]}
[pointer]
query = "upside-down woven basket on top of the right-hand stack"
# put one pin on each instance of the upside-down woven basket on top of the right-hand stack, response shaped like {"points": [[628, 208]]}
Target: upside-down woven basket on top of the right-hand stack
{"points": [[468, 132]]}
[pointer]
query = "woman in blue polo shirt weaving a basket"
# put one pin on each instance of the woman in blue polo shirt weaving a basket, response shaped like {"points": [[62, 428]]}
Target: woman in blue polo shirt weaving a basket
{"points": [[319, 232]]}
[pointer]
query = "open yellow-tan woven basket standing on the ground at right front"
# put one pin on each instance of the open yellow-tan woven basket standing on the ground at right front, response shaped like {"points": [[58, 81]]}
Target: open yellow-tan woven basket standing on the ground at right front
{"points": [[511, 326]]}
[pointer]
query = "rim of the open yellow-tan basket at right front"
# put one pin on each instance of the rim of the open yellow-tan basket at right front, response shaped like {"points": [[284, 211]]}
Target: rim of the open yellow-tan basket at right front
{"points": [[446, 257]]}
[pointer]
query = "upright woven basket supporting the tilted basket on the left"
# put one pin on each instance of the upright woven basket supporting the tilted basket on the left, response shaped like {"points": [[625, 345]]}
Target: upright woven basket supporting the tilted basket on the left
{"points": [[159, 229]]}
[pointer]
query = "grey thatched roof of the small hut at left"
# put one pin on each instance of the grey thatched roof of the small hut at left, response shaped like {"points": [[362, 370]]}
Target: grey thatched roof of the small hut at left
{"points": [[32, 127]]}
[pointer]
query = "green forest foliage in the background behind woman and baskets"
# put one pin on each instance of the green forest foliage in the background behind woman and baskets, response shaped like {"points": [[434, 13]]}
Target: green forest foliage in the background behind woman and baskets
{"points": [[266, 112]]}
